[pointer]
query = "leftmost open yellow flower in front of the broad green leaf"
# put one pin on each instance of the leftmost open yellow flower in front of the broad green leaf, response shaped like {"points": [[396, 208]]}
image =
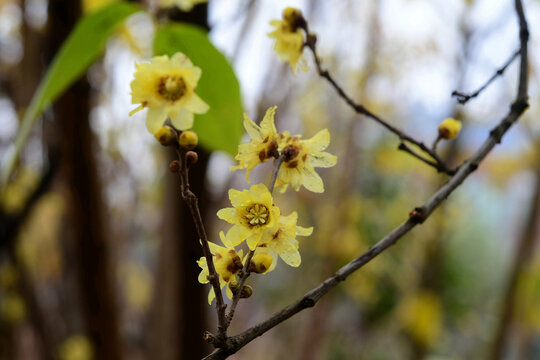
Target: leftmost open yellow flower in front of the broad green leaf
{"points": [[167, 88]]}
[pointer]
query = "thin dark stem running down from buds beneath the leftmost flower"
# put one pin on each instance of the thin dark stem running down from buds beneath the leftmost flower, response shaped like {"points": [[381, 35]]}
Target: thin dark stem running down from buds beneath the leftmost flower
{"points": [[193, 204]]}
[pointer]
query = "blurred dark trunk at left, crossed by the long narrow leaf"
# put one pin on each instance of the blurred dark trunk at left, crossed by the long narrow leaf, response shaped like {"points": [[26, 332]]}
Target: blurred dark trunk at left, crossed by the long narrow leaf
{"points": [[87, 228]]}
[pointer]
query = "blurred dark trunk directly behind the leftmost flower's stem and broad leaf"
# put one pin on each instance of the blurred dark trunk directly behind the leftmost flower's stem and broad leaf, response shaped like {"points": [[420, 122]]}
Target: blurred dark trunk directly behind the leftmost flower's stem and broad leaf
{"points": [[178, 314]]}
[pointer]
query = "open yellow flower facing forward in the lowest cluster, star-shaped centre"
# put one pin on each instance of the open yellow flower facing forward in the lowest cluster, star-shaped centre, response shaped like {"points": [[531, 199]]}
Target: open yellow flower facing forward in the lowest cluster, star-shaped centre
{"points": [[253, 212]]}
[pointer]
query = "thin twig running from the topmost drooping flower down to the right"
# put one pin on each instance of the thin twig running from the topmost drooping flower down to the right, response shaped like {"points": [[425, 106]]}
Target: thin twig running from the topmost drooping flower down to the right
{"points": [[311, 43]]}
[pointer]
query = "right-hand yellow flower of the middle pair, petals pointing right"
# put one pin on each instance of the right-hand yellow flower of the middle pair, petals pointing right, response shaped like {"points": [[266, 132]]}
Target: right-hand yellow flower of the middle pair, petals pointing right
{"points": [[300, 157]]}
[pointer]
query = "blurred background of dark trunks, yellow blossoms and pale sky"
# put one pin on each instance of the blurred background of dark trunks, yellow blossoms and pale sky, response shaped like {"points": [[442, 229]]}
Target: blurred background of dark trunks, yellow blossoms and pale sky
{"points": [[97, 251]]}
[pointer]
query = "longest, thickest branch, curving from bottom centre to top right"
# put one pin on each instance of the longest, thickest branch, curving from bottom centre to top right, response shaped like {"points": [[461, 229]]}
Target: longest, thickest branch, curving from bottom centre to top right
{"points": [[417, 216]]}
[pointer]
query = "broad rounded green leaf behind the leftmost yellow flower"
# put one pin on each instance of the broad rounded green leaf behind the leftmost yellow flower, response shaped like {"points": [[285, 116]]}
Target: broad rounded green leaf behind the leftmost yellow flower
{"points": [[221, 127]]}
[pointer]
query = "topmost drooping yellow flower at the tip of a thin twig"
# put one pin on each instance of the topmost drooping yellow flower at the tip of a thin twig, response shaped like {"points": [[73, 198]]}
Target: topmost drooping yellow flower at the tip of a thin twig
{"points": [[289, 38]]}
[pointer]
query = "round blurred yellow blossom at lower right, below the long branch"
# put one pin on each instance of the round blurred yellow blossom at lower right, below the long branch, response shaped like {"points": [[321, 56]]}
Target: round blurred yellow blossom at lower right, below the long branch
{"points": [[421, 316]]}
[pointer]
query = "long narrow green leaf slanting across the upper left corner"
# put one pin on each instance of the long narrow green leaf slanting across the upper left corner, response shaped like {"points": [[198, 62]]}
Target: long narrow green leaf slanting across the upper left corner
{"points": [[79, 51]]}
